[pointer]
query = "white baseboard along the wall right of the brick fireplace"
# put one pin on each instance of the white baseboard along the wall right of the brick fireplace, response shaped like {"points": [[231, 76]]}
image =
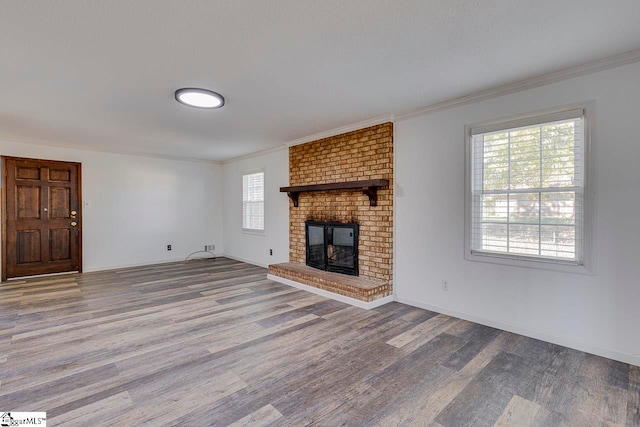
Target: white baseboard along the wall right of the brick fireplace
{"points": [[531, 333]]}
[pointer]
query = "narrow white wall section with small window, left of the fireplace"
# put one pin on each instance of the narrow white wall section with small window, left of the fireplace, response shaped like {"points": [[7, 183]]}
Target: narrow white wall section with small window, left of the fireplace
{"points": [[254, 248]]}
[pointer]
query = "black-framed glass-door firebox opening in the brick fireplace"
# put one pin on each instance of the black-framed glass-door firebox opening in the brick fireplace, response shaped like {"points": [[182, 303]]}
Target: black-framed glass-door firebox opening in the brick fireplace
{"points": [[332, 246]]}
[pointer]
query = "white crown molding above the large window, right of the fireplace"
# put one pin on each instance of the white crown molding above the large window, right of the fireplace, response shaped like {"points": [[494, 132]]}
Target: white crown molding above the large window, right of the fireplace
{"points": [[530, 83]]}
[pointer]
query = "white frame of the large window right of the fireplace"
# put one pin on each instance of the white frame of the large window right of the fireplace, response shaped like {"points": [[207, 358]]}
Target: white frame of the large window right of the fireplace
{"points": [[587, 229]]}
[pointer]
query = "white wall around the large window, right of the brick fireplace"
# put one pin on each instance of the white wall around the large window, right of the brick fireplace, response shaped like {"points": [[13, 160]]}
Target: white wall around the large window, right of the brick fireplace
{"points": [[599, 313]]}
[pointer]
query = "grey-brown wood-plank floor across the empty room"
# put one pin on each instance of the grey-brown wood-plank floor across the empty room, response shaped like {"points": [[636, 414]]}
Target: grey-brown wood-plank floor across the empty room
{"points": [[205, 343]]}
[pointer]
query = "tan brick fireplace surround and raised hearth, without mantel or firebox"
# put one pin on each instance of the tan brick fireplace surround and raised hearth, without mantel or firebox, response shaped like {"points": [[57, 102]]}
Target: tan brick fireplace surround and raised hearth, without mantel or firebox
{"points": [[362, 155]]}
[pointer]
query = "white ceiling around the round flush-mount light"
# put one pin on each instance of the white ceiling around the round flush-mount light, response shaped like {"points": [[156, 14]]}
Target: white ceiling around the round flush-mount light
{"points": [[101, 74]]}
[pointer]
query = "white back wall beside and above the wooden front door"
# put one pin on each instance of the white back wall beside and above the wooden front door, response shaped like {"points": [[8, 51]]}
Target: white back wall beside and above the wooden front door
{"points": [[138, 205]]}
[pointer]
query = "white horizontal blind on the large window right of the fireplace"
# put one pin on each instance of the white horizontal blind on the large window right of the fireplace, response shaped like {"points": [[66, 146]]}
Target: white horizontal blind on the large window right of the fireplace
{"points": [[527, 190]]}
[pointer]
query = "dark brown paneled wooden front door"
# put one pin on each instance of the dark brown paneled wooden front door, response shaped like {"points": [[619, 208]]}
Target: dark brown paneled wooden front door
{"points": [[41, 217]]}
